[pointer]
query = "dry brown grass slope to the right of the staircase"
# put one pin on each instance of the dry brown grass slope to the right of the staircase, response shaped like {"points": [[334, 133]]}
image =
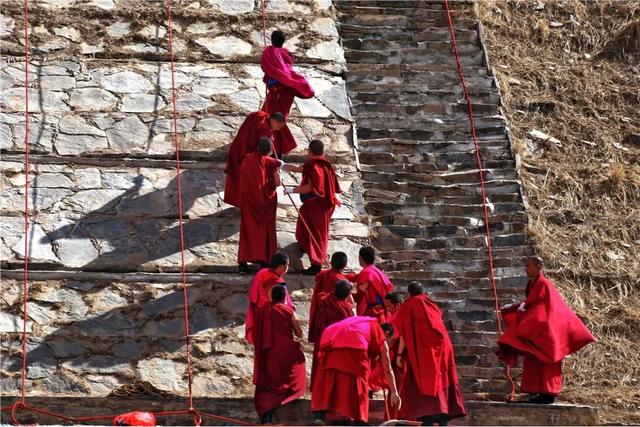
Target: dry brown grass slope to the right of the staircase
{"points": [[571, 69]]}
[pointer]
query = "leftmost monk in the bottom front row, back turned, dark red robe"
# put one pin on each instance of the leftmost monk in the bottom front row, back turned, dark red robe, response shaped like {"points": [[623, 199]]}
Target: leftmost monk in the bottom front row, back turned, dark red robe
{"points": [[279, 371]]}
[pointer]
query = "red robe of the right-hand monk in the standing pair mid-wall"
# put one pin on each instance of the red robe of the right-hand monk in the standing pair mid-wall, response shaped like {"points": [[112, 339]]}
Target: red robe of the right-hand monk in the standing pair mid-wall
{"points": [[317, 209]]}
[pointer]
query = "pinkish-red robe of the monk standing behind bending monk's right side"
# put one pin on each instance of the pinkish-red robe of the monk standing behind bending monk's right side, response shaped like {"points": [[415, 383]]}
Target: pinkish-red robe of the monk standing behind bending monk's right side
{"points": [[371, 301]]}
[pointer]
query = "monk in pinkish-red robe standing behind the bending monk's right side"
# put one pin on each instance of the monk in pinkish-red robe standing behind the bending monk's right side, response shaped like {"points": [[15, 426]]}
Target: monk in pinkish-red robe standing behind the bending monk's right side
{"points": [[373, 286]]}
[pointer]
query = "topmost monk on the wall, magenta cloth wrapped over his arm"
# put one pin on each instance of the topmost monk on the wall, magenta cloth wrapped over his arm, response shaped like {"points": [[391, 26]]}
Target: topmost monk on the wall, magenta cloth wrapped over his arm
{"points": [[283, 84]]}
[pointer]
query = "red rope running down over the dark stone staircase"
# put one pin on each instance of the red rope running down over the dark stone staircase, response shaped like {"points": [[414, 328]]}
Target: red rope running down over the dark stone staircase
{"points": [[485, 208]]}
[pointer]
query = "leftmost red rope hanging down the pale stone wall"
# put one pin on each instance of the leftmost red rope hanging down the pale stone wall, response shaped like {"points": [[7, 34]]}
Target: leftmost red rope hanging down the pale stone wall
{"points": [[25, 286]]}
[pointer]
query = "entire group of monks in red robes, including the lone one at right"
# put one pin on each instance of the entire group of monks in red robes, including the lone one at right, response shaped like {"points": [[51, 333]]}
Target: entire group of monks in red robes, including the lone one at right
{"points": [[367, 336]]}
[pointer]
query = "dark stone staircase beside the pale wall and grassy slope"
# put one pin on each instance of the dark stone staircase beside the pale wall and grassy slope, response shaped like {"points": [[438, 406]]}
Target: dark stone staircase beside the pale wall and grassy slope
{"points": [[419, 170]]}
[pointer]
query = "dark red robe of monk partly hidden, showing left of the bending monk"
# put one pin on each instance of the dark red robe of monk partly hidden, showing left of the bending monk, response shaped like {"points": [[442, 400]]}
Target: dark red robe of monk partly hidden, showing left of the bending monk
{"points": [[330, 310]]}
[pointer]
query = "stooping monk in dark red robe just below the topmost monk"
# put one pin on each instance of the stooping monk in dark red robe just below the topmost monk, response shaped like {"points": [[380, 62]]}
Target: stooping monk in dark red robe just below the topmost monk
{"points": [[256, 126]]}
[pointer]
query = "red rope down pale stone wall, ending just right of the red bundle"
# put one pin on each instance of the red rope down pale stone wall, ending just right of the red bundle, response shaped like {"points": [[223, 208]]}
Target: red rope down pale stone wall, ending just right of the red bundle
{"points": [[180, 215]]}
